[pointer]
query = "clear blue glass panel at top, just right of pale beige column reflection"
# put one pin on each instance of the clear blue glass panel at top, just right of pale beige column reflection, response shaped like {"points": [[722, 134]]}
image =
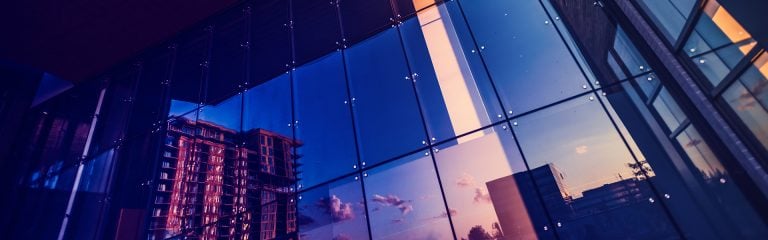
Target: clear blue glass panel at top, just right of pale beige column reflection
{"points": [[532, 44]]}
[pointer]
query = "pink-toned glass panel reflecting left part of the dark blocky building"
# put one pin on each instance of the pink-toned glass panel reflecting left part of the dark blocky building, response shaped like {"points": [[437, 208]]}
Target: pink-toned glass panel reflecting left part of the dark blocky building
{"points": [[493, 193]]}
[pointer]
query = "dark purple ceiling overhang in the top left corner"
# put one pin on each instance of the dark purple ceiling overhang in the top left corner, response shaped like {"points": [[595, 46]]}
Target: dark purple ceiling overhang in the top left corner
{"points": [[79, 39]]}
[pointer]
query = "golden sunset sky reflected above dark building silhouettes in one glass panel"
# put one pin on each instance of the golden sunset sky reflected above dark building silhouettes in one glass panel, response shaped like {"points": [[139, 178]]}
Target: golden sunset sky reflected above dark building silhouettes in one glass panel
{"points": [[579, 139]]}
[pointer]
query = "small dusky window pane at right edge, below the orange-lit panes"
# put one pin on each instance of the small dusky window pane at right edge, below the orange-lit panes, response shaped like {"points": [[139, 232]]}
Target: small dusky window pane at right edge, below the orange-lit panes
{"points": [[752, 113]]}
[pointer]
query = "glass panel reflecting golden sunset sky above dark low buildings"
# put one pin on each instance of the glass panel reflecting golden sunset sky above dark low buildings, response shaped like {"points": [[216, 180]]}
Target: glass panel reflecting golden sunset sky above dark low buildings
{"points": [[591, 184]]}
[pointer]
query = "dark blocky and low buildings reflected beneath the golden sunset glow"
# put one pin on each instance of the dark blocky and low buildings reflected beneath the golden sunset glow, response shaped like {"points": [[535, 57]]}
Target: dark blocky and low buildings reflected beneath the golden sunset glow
{"points": [[611, 211]]}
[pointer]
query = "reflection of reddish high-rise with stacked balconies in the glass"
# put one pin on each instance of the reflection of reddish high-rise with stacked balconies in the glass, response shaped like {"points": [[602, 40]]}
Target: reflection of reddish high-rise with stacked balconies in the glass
{"points": [[210, 187]]}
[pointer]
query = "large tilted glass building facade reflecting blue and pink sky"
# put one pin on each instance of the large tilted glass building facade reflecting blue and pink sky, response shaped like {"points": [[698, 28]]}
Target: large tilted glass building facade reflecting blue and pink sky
{"points": [[405, 119]]}
